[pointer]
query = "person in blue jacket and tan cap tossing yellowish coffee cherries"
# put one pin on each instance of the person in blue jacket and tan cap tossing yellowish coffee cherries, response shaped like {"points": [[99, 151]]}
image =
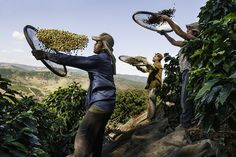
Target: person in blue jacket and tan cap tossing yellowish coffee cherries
{"points": [[100, 101]]}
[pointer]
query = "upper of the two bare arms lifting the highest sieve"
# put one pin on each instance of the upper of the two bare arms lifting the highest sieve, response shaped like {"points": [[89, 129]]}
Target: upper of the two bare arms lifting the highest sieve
{"points": [[177, 29]]}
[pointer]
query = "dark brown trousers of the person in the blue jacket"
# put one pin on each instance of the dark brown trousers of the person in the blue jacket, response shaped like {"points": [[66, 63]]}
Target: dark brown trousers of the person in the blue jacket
{"points": [[89, 137]]}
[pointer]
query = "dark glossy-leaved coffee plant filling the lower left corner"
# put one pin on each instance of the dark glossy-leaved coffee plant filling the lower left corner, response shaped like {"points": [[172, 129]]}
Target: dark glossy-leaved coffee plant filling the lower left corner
{"points": [[19, 134]]}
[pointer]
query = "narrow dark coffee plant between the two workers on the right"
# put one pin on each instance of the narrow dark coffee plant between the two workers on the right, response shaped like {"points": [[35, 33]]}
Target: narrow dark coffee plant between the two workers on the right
{"points": [[170, 90]]}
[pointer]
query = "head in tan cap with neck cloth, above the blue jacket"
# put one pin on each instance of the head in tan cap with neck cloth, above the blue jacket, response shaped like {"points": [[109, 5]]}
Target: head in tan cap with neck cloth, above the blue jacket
{"points": [[103, 42]]}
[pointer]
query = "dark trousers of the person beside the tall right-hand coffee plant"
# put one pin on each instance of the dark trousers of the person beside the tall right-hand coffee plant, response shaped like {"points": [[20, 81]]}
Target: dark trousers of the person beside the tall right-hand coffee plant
{"points": [[186, 105]]}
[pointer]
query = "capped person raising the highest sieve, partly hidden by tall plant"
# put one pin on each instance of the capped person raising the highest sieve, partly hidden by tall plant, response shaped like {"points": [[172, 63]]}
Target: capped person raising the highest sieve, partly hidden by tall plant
{"points": [[191, 33]]}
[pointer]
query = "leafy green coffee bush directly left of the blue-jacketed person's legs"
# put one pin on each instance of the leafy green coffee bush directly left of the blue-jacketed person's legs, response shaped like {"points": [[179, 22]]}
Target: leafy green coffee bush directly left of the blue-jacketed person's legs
{"points": [[66, 109]]}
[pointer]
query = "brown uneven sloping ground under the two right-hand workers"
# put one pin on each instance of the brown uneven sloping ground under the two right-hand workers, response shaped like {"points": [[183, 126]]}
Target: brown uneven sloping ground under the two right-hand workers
{"points": [[141, 138]]}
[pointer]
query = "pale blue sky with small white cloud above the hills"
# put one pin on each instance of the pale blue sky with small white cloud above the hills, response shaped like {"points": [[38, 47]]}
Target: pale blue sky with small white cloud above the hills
{"points": [[91, 17]]}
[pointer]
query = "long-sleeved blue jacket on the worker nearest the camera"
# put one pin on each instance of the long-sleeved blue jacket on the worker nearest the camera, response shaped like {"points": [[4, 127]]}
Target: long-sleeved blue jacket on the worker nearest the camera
{"points": [[102, 89]]}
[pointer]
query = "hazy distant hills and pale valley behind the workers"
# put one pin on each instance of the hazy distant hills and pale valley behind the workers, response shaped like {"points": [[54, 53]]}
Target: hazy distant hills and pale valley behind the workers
{"points": [[38, 81]]}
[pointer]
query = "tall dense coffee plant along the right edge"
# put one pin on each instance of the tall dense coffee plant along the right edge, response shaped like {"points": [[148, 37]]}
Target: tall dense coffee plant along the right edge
{"points": [[213, 55]]}
